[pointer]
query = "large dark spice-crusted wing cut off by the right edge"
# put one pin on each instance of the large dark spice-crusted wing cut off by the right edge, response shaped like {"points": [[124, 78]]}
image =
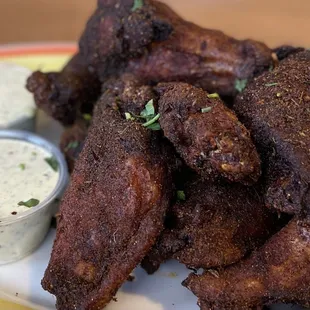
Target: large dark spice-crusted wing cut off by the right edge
{"points": [[276, 109]]}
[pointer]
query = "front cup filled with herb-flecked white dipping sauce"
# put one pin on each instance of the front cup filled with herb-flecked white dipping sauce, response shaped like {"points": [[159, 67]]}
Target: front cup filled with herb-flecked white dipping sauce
{"points": [[25, 175]]}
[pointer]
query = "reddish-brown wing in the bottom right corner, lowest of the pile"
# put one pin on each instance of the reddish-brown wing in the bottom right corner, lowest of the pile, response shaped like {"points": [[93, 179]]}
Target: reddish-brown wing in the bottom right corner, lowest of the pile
{"points": [[278, 272]]}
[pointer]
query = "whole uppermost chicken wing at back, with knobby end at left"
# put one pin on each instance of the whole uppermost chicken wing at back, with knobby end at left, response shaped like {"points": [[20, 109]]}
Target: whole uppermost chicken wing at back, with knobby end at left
{"points": [[153, 43]]}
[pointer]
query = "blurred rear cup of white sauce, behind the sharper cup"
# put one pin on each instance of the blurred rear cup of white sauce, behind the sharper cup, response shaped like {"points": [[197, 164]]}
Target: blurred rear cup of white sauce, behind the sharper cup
{"points": [[16, 103]]}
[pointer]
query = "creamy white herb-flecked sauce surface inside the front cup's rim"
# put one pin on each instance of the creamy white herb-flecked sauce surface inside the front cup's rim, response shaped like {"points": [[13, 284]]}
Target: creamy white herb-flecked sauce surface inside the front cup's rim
{"points": [[27, 176]]}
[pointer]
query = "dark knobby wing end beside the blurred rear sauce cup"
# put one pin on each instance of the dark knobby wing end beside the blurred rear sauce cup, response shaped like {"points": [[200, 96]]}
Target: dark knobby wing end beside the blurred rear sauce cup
{"points": [[66, 94]]}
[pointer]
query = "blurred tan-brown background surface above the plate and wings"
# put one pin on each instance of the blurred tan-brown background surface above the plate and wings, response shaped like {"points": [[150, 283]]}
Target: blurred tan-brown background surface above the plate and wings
{"points": [[273, 21]]}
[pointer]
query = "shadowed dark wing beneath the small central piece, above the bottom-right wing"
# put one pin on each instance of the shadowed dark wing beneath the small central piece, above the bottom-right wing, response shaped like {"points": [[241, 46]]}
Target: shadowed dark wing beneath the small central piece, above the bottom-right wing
{"points": [[216, 226]]}
